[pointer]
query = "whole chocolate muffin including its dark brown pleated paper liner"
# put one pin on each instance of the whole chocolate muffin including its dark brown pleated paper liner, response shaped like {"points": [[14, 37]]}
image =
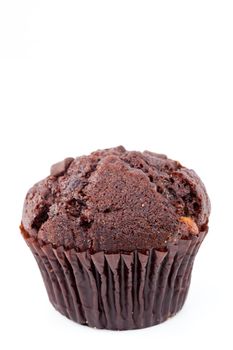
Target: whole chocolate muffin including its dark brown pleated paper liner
{"points": [[115, 235]]}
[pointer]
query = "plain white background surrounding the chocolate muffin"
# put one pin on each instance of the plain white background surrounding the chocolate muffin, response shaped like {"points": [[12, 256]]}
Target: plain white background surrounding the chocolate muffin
{"points": [[76, 76]]}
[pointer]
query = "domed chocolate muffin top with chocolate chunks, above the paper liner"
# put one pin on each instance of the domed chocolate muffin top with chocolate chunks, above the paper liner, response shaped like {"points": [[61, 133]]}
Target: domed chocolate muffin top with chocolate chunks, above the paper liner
{"points": [[116, 200]]}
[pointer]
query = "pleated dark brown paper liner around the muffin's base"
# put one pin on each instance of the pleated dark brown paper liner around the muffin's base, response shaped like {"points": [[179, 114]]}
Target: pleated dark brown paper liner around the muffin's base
{"points": [[117, 291]]}
